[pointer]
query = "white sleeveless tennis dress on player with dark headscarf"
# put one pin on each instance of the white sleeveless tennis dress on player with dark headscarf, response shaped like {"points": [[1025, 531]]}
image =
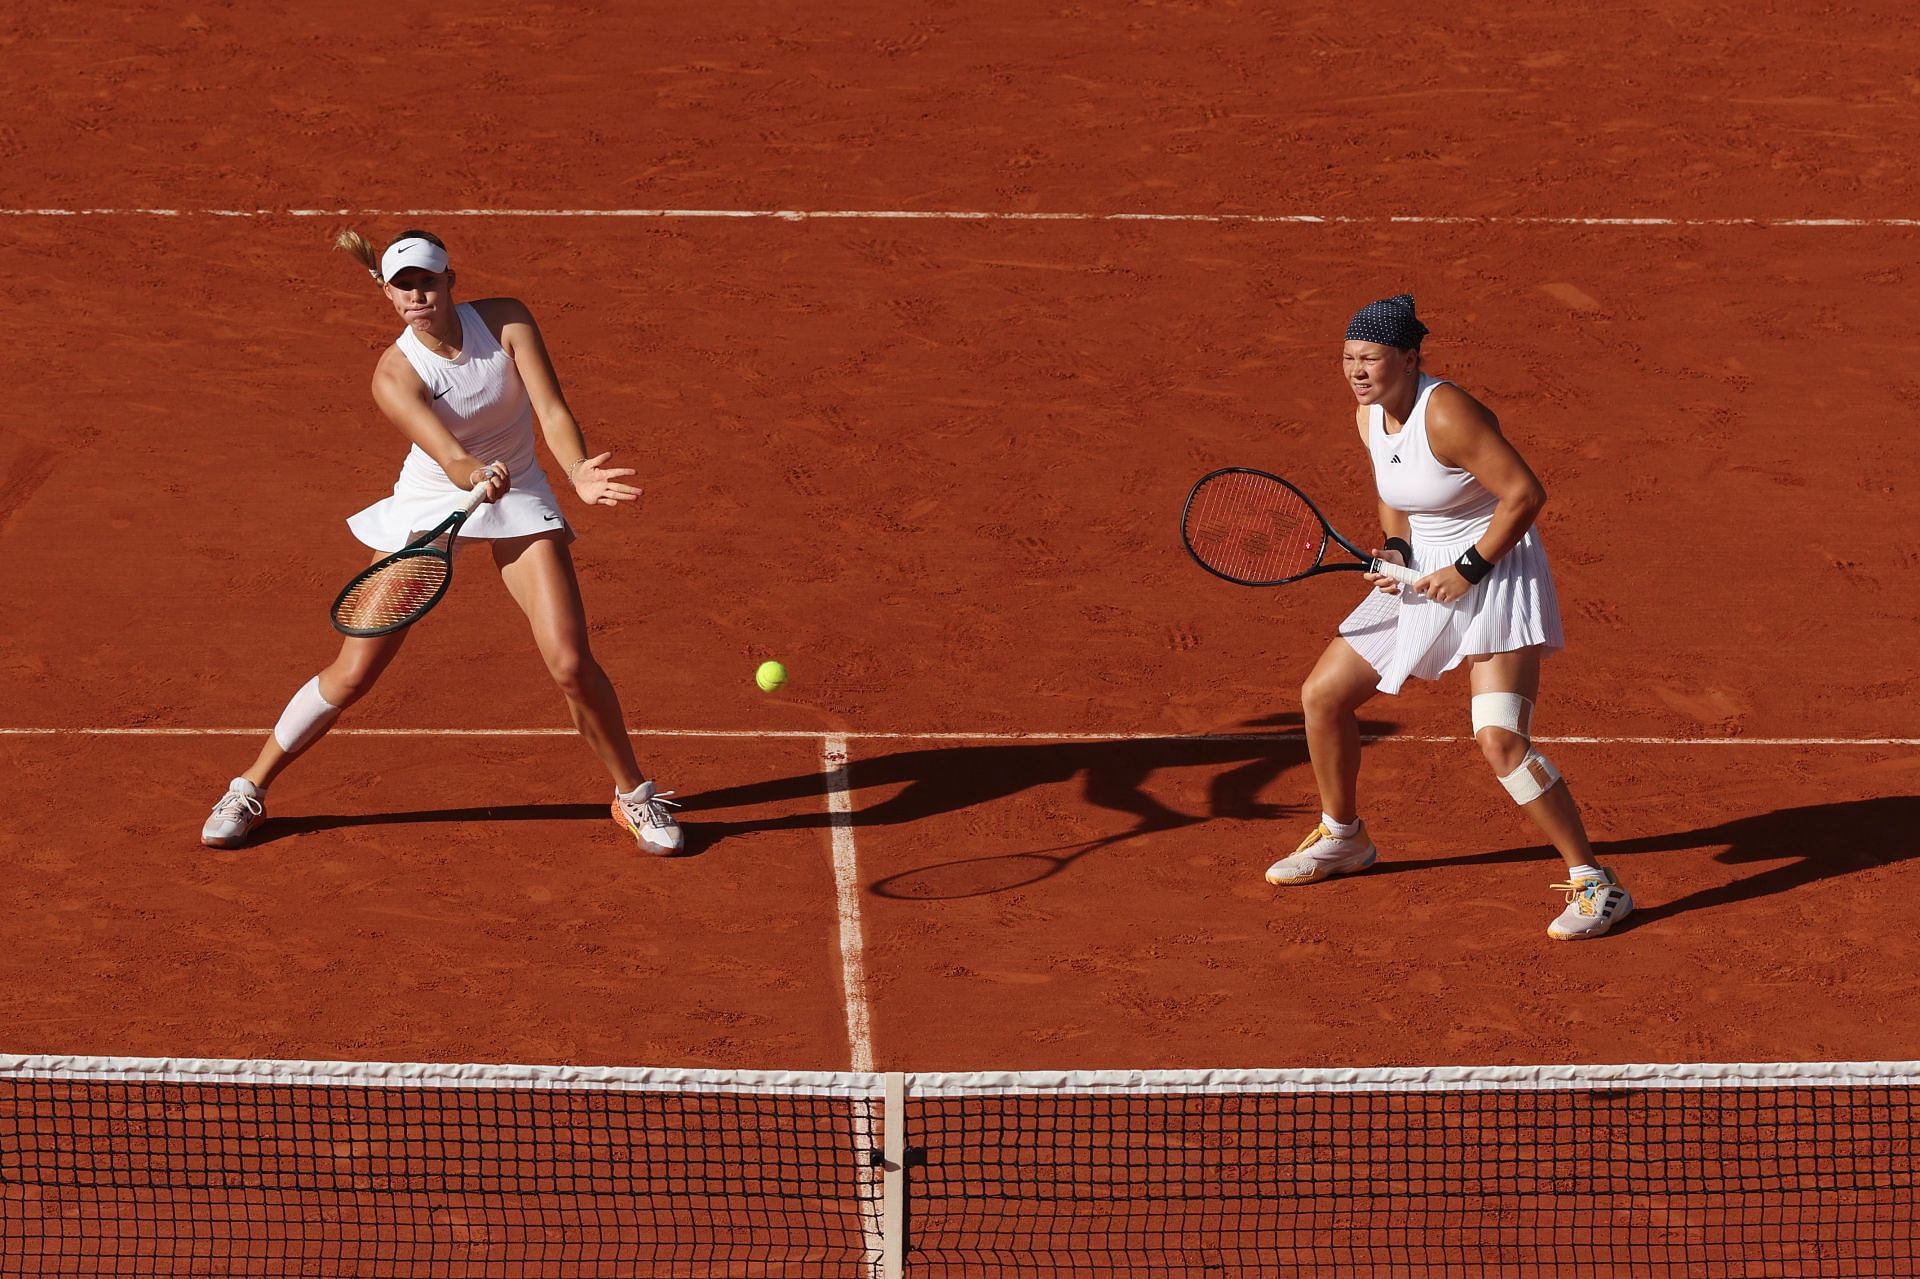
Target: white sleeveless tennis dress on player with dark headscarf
{"points": [[1408, 635]]}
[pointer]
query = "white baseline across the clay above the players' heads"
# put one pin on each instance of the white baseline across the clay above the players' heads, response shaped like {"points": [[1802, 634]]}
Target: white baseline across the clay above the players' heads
{"points": [[1011, 216]]}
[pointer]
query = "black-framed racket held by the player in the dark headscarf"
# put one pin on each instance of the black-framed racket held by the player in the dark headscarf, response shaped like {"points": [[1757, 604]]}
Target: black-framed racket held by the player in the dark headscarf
{"points": [[1257, 529]]}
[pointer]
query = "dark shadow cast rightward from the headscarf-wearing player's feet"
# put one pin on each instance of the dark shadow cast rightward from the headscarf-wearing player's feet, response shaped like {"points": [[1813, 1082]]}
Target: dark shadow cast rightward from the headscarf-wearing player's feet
{"points": [[1792, 848]]}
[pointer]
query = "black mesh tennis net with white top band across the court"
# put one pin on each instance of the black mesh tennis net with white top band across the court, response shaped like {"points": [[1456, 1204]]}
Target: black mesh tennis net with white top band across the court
{"points": [[135, 1167]]}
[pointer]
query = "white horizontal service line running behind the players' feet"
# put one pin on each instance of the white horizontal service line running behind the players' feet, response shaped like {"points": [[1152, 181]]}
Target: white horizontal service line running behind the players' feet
{"points": [[846, 736]]}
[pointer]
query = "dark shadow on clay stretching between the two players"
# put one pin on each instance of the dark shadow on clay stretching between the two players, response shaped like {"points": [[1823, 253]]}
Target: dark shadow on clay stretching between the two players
{"points": [[1113, 775]]}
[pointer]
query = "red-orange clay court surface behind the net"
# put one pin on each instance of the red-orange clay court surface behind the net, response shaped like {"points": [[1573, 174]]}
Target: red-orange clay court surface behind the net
{"points": [[934, 466]]}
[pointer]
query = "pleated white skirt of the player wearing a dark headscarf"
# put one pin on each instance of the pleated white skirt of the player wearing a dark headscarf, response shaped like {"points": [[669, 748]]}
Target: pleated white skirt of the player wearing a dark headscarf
{"points": [[1410, 637]]}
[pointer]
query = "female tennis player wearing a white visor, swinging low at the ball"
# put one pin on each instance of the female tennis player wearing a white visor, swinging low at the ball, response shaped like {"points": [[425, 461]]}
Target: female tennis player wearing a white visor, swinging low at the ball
{"points": [[468, 383]]}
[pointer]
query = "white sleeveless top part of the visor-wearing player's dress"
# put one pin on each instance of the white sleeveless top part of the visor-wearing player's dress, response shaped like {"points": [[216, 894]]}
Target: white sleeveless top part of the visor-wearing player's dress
{"points": [[479, 397]]}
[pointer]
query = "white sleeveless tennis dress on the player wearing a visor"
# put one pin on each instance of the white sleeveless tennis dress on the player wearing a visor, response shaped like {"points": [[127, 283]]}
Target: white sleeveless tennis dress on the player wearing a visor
{"points": [[479, 397]]}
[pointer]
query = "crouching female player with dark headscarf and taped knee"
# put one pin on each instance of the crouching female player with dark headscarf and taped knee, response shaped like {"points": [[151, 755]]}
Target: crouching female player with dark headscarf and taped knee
{"points": [[1458, 504]]}
